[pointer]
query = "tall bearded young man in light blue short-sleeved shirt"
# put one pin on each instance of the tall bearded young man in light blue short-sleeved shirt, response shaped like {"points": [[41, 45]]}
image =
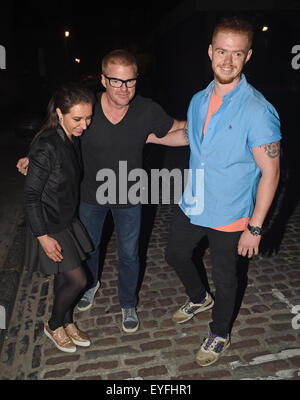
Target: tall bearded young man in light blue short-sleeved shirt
{"points": [[234, 138]]}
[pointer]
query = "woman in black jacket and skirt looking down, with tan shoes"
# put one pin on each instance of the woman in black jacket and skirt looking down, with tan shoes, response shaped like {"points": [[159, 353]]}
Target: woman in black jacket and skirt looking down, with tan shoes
{"points": [[56, 241]]}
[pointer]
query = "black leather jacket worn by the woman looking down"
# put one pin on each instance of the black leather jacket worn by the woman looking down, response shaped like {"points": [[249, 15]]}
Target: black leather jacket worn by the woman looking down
{"points": [[51, 190]]}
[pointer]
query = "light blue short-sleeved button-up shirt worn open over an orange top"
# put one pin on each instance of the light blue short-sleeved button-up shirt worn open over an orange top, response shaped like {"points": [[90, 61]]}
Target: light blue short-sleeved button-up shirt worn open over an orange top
{"points": [[223, 175]]}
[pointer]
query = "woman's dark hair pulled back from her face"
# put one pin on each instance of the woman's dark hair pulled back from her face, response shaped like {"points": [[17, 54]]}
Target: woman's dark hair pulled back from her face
{"points": [[64, 98]]}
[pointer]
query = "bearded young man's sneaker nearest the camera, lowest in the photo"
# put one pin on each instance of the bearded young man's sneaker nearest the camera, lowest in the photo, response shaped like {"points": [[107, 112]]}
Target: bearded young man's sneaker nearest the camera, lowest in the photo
{"points": [[211, 349]]}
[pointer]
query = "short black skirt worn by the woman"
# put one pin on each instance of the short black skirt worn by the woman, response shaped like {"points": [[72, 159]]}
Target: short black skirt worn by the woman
{"points": [[74, 241]]}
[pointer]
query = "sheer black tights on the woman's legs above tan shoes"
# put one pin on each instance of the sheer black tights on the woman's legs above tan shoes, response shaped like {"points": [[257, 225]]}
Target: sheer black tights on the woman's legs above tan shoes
{"points": [[67, 288]]}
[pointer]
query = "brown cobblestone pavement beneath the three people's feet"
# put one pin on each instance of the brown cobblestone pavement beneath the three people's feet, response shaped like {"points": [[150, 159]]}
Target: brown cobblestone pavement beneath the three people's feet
{"points": [[265, 336]]}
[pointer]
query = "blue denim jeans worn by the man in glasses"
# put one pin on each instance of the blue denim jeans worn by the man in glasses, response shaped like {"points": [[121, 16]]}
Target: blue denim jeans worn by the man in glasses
{"points": [[127, 224]]}
